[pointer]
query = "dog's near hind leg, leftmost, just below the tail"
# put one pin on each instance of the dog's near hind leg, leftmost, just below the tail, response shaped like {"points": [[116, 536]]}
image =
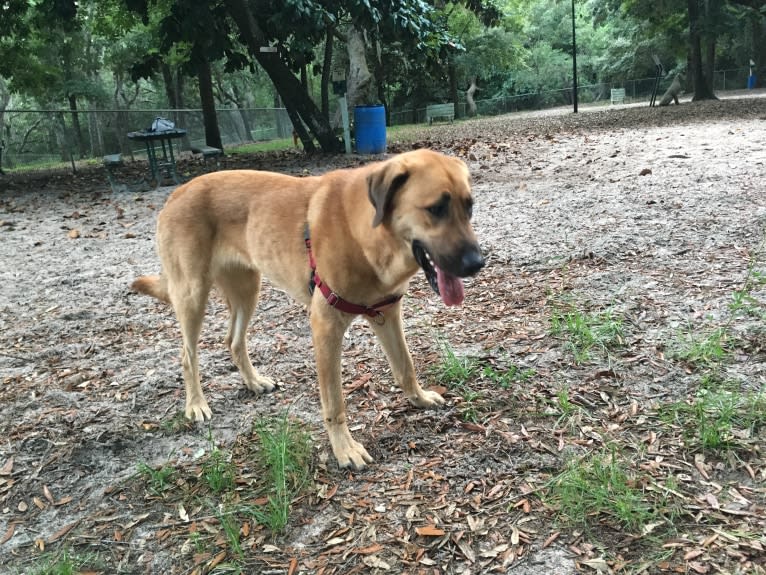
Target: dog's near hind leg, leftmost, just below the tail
{"points": [[189, 300]]}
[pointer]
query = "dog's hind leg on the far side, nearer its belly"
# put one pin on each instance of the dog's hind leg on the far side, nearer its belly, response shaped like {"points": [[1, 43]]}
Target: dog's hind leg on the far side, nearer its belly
{"points": [[241, 288]]}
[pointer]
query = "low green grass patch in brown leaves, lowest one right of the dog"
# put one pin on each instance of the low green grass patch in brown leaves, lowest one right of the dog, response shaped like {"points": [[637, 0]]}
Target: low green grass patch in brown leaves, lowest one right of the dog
{"points": [[598, 488]]}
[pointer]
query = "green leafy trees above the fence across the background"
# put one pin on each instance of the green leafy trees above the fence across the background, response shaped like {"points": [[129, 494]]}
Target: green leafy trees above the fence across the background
{"points": [[402, 53]]}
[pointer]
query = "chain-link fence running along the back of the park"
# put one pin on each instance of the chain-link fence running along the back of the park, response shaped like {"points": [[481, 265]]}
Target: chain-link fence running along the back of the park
{"points": [[47, 139]]}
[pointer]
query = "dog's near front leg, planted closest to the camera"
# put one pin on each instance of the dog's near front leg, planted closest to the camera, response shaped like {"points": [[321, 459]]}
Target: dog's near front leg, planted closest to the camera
{"points": [[327, 328]]}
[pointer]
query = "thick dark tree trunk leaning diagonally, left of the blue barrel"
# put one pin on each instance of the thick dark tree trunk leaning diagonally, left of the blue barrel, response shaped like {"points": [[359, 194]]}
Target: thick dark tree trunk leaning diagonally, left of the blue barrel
{"points": [[299, 105]]}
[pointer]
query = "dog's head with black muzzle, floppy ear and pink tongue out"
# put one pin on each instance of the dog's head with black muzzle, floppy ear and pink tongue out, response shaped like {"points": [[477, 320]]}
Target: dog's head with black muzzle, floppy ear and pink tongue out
{"points": [[424, 198]]}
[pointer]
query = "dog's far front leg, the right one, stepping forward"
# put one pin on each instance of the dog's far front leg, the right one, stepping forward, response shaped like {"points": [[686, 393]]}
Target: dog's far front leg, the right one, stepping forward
{"points": [[391, 336]]}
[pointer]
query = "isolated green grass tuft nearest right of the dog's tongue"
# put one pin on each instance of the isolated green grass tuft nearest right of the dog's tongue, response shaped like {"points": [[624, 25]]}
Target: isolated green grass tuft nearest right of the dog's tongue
{"points": [[587, 332]]}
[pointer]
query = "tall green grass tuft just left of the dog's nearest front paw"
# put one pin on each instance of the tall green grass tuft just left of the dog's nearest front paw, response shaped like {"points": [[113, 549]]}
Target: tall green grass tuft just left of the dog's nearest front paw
{"points": [[285, 457]]}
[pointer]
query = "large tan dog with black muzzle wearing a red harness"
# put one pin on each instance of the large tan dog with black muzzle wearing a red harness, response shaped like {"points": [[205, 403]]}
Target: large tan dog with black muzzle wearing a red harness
{"points": [[370, 229]]}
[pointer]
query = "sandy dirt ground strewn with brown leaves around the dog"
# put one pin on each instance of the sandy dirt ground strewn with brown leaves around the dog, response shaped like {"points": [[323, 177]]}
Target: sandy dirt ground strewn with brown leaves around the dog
{"points": [[656, 215]]}
